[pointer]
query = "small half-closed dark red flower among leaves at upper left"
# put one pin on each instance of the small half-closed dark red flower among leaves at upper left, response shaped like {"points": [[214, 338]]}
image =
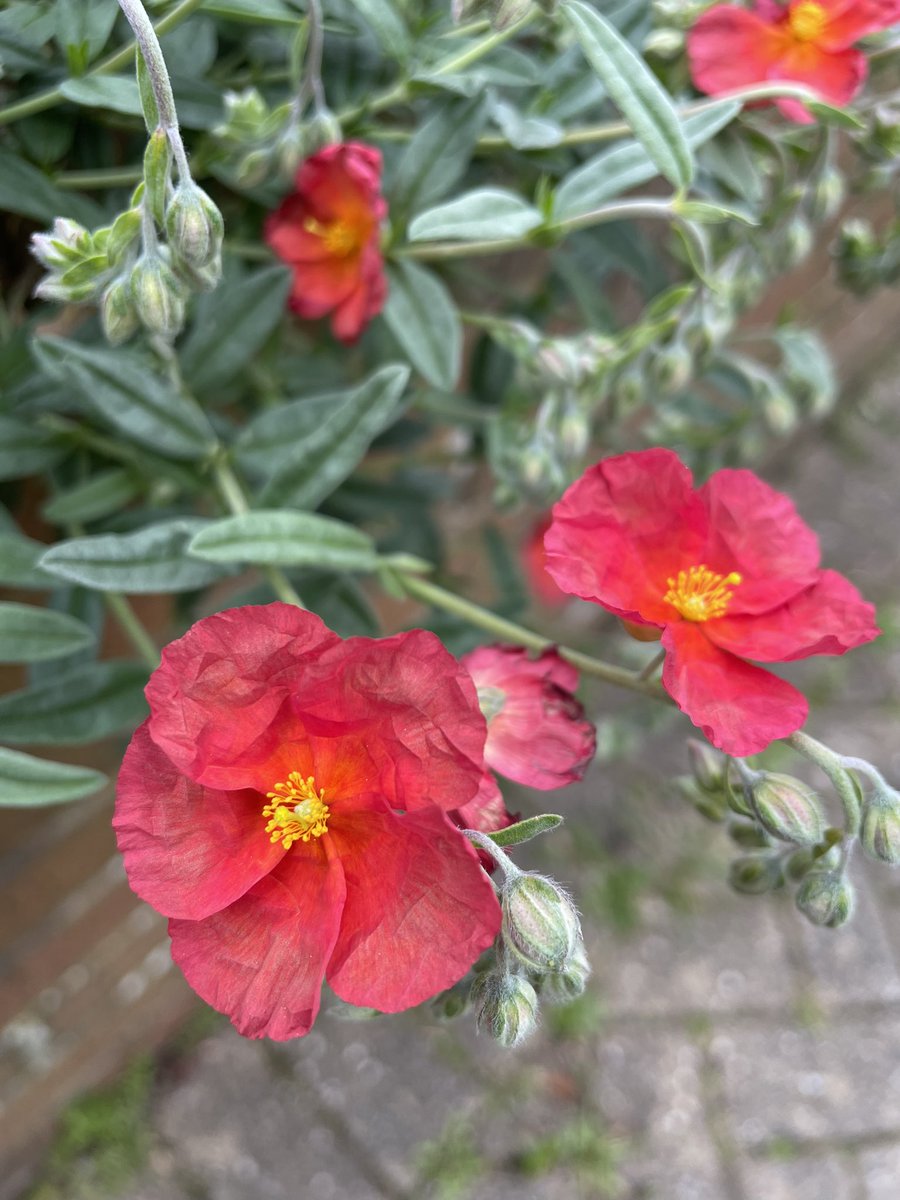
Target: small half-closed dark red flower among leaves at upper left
{"points": [[328, 231]]}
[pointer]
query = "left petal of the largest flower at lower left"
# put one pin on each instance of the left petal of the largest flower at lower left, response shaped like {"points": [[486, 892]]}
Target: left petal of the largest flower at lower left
{"points": [[189, 850]]}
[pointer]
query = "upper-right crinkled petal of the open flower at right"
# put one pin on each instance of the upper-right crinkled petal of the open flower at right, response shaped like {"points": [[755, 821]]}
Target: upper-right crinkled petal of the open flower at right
{"points": [[758, 532]]}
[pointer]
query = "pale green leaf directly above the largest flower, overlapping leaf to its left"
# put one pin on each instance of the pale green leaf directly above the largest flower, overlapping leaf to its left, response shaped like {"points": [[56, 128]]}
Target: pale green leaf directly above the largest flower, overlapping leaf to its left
{"points": [[278, 538]]}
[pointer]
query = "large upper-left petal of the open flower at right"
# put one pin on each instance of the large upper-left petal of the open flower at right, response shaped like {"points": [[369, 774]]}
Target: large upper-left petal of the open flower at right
{"points": [[622, 530]]}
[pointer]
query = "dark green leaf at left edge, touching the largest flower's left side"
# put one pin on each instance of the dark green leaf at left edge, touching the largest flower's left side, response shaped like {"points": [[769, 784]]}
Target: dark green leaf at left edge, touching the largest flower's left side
{"points": [[83, 705]]}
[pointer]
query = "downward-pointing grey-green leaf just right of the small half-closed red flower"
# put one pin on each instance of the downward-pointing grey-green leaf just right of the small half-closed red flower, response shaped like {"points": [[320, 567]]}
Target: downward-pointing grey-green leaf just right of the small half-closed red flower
{"points": [[423, 317]]}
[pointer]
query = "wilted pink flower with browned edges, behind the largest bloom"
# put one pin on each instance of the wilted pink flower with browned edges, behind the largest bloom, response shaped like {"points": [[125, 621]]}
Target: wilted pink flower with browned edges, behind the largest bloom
{"points": [[537, 734]]}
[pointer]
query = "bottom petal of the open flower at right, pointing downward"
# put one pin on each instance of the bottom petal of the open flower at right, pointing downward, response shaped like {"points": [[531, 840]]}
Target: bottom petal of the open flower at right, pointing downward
{"points": [[740, 707]]}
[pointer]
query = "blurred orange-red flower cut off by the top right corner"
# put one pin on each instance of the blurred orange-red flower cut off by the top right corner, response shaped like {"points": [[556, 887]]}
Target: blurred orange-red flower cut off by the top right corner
{"points": [[805, 41]]}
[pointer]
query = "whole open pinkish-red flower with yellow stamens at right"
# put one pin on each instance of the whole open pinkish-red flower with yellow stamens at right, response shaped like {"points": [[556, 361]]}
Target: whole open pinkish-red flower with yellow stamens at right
{"points": [[728, 573]]}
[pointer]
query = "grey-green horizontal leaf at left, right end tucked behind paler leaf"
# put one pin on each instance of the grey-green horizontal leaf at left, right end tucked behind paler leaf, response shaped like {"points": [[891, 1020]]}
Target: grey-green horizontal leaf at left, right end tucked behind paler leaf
{"points": [[152, 560]]}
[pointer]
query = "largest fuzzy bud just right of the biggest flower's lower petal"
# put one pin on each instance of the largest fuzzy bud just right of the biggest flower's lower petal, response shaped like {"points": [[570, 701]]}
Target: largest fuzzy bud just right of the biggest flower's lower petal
{"points": [[541, 925]]}
